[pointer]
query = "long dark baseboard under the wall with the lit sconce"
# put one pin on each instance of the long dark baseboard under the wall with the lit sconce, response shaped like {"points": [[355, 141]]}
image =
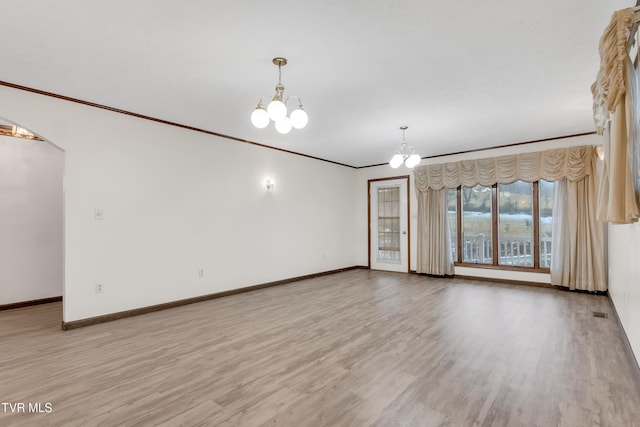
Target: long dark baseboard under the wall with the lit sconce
{"points": [[150, 309]]}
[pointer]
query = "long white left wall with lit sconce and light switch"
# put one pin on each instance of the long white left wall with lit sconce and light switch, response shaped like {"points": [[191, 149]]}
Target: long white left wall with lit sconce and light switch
{"points": [[176, 201]]}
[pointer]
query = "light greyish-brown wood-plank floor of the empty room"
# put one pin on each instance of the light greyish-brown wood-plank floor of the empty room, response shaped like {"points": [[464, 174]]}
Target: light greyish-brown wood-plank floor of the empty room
{"points": [[357, 348]]}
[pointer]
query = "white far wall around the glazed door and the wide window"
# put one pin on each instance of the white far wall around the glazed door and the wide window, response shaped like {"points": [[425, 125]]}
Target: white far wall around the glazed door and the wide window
{"points": [[384, 171]]}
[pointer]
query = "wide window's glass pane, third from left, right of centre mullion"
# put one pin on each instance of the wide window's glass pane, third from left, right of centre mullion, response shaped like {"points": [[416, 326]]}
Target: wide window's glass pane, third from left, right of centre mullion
{"points": [[515, 224]]}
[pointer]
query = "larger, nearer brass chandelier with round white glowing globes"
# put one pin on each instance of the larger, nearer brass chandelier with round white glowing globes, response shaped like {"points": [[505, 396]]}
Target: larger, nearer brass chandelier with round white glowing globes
{"points": [[277, 108]]}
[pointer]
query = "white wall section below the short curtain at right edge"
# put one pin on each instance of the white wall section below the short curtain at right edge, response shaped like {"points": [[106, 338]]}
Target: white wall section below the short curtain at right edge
{"points": [[624, 285]]}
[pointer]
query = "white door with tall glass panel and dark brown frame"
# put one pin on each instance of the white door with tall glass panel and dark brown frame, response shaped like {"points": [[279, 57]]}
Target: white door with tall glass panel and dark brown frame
{"points": [[389, 224]]}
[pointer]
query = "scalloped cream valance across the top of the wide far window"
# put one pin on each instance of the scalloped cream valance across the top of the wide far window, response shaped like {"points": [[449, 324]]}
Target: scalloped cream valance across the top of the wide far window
{"points": [[572, 163]]}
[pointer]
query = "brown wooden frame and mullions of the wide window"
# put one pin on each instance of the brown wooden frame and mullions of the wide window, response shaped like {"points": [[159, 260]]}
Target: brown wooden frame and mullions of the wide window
{"points": [[495, 237]]}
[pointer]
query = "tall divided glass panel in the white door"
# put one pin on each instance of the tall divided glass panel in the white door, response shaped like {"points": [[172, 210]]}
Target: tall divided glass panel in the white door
{"points": [[389, 224]]}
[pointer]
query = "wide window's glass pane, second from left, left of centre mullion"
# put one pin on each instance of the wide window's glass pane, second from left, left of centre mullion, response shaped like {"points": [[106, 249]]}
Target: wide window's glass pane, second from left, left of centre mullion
{"points": [[476, 225]]}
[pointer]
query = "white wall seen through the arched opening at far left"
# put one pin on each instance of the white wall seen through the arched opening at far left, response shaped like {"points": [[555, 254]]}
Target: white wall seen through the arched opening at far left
{"points": [[31, 220]]}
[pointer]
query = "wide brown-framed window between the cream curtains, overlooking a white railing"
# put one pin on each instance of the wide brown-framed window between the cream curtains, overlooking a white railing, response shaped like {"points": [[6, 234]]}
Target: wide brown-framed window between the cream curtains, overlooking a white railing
{"points": [[506, 225]]}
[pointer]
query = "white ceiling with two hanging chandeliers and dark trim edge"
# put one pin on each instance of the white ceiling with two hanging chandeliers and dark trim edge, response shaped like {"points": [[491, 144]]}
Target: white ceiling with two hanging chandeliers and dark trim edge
{"points": [[462, 75]]}
